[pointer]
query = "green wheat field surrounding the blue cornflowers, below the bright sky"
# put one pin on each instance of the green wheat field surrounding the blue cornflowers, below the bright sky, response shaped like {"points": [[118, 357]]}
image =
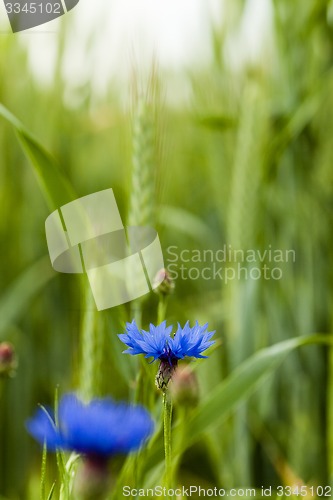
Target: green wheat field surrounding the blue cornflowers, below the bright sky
{"points": [[244, 162]]}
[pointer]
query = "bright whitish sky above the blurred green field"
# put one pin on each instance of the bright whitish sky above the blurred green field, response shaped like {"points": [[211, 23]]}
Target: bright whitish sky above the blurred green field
{"points": [[123, 32]]}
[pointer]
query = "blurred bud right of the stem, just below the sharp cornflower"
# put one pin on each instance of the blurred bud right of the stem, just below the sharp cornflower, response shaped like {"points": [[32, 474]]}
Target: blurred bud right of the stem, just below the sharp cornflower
{"points": [[184, 387]]}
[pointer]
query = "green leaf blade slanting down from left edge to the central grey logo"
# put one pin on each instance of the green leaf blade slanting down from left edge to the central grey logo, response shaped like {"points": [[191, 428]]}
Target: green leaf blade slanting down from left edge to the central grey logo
{"points": [[55, 187]]}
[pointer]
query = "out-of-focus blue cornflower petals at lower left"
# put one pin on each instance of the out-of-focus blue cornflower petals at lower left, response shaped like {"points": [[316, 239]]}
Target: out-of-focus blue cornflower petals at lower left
{"points": [[101, 428]]}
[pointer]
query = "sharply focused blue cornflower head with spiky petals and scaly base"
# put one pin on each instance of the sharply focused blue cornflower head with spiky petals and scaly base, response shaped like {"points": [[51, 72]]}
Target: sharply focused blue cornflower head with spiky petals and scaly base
{"points": [[160, 343]]}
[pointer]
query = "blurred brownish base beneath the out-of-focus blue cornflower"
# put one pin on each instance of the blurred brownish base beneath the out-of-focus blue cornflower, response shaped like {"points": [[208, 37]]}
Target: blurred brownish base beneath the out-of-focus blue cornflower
{"points": [[92, 480]]}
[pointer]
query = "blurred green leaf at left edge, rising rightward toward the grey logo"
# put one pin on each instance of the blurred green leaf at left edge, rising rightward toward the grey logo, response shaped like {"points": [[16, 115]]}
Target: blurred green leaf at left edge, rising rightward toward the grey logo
{"points": [[22, 290]]}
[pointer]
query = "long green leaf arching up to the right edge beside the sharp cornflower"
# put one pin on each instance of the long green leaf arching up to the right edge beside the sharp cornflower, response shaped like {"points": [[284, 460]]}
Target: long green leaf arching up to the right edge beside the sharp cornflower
{"points": [[230, 392]]}
